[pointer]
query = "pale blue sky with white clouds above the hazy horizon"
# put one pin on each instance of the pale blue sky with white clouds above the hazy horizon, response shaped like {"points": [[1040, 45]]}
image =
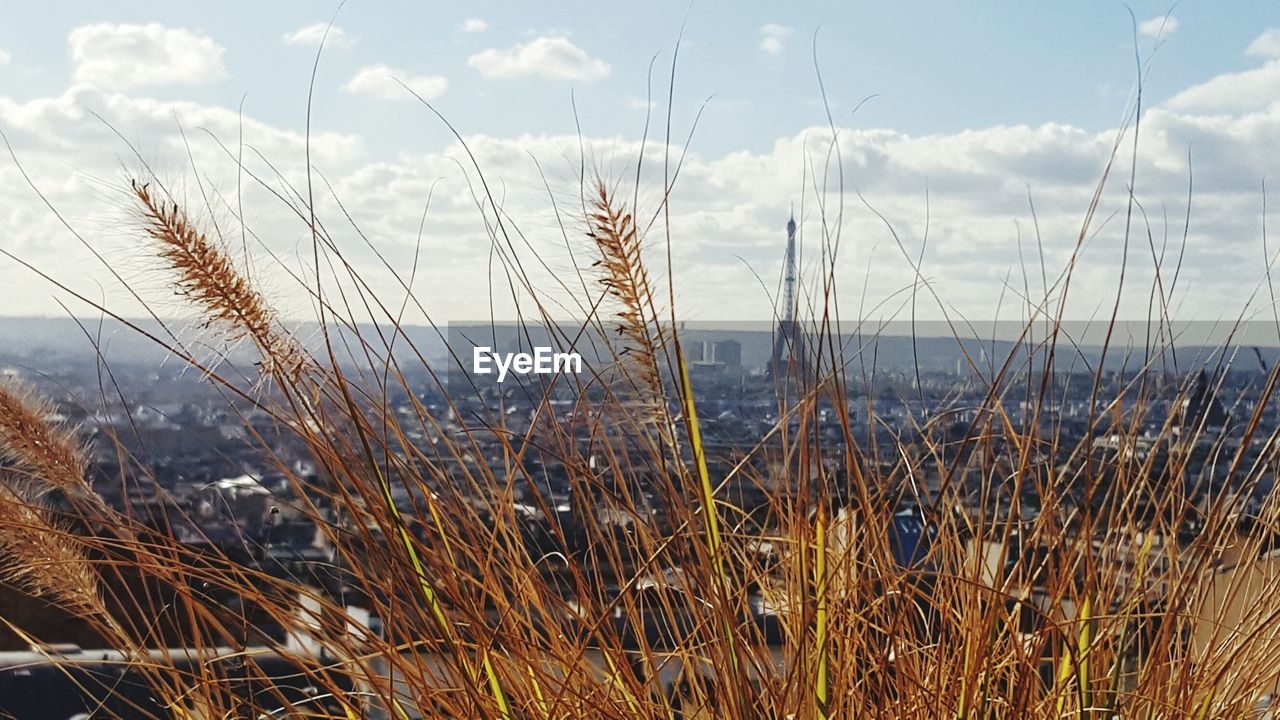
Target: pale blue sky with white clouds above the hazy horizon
{"points": [[932, 131]]}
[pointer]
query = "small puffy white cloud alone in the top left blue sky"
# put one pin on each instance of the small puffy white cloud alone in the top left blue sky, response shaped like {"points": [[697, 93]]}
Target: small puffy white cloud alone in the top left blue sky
{"points": [[121, 57]]}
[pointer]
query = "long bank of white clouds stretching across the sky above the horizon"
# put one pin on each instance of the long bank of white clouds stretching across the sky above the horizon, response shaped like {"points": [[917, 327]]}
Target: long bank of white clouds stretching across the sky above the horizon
{"points": [[726, 206]]}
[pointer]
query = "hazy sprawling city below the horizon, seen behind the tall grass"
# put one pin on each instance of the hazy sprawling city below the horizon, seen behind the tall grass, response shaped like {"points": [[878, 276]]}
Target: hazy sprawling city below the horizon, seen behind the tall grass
{"points": [[220, 477]]}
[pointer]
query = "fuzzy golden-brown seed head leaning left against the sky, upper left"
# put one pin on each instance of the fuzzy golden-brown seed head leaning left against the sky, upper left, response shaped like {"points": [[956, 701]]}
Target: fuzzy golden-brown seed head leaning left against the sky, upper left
{"points": [[208, 277]]}
